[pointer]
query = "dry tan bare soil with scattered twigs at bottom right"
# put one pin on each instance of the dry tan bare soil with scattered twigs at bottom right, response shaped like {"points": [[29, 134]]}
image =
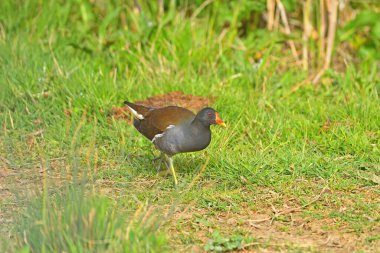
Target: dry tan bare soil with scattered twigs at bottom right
{"points": [[275, 229]]}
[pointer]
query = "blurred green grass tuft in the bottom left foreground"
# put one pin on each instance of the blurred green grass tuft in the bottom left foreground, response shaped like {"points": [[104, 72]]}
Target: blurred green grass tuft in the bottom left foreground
{"points": [[71, 221]]}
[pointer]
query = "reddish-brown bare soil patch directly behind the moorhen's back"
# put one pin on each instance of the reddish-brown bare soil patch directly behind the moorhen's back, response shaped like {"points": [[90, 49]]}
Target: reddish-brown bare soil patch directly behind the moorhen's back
{"points": [[191, 102]]}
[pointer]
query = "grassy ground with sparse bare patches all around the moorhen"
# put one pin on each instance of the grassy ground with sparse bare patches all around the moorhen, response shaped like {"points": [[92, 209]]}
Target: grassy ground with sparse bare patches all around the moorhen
{"points": [[64, 65]]}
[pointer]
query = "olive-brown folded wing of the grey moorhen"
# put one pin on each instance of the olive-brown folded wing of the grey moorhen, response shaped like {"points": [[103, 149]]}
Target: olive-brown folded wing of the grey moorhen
{"points": [[156, 121]]}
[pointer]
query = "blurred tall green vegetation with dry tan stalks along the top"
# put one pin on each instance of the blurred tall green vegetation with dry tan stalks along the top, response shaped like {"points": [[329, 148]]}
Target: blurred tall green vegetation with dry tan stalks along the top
{"points": [[309, 34]]}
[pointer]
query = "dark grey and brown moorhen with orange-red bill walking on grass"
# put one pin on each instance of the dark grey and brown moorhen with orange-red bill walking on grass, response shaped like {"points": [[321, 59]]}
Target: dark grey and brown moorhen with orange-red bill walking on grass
{"points": [[174, 129]]}
